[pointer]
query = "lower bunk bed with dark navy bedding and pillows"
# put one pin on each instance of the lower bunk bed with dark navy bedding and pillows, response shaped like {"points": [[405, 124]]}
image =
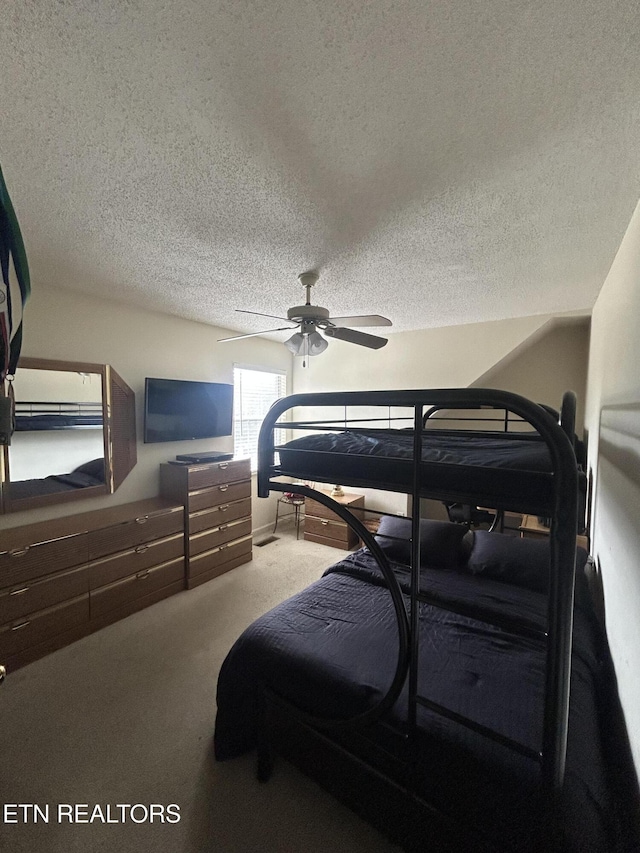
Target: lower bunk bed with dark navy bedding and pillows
{"points": [[297, 679]]}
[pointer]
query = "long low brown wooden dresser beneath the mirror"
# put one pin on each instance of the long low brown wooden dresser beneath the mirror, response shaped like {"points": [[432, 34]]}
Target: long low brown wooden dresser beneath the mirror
{"points": [[64, 578]]}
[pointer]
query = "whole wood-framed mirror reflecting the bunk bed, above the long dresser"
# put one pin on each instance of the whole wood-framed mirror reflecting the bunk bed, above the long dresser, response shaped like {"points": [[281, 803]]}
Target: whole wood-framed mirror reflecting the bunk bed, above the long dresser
{"points": [[74, 434]]}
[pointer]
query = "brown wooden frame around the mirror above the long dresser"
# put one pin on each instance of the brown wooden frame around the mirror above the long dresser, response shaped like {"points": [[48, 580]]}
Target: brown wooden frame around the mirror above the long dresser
{"points": [[119, 437]]}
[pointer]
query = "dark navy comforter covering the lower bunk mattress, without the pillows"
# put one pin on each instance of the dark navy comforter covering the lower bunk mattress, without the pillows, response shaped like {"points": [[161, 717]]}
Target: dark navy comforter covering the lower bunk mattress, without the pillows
{"points": [[331, 651]]}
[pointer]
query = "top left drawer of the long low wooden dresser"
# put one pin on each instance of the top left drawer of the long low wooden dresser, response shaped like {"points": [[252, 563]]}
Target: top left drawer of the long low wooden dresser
{"points": [[42, 558]]}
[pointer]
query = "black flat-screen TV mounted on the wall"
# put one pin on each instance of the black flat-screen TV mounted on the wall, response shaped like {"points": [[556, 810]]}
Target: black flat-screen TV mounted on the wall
{"points": [[177, 410]]}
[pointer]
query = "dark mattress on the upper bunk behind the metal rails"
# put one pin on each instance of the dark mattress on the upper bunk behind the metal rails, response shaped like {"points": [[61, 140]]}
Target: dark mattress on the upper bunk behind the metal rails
{"points": [[453, 464]]}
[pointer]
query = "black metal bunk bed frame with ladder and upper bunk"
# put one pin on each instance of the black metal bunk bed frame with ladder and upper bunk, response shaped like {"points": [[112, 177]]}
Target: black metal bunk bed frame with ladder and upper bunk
{"points": [[535, 473]]}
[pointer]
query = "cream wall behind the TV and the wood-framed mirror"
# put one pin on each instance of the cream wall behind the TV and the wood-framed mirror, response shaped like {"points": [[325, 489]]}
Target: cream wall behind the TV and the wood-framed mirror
{"points": [[62, 324]]}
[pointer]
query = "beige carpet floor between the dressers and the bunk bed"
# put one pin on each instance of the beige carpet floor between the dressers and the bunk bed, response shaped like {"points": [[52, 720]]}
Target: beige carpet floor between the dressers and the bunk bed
{"points": [[126, 716]]}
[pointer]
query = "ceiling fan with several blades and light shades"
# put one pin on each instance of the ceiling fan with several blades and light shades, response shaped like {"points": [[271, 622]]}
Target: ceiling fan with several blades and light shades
{"points": [[309, 318]]}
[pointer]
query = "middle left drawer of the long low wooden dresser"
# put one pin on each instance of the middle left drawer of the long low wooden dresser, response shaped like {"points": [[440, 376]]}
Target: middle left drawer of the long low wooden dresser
{"points": [[31, 596]]}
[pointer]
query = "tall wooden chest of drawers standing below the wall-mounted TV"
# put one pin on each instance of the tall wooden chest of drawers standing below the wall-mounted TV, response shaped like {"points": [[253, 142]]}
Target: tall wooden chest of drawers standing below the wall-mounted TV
{"points": [[217, 500]]}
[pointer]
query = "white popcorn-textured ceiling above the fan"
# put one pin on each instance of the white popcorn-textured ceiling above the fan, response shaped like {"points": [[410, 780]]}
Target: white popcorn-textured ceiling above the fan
{"points": [[437, 162]]}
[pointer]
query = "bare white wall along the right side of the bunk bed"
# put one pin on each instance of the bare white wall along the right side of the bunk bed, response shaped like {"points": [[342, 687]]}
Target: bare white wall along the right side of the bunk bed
{"points": [[613, 423]]}
